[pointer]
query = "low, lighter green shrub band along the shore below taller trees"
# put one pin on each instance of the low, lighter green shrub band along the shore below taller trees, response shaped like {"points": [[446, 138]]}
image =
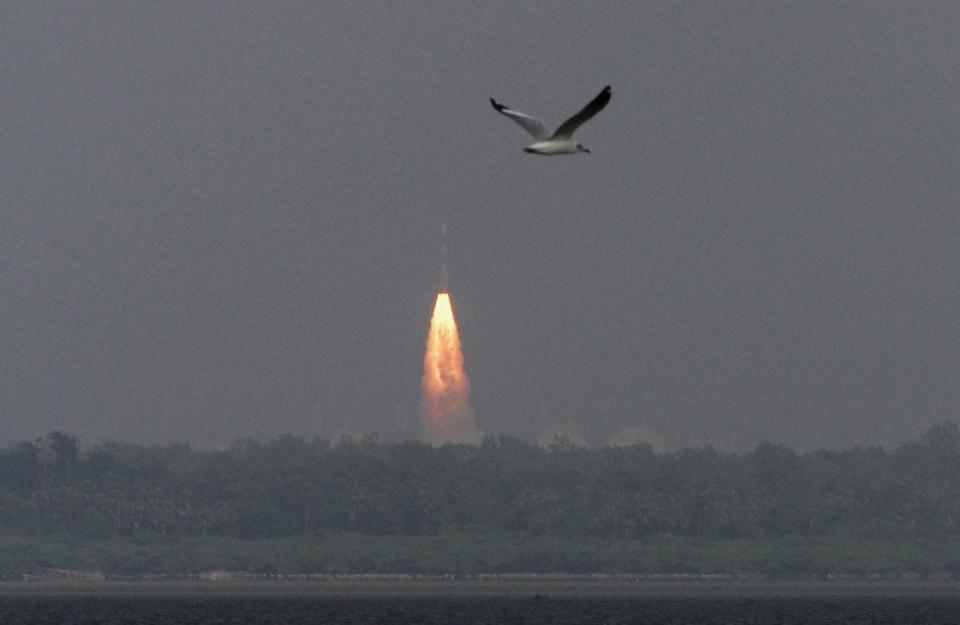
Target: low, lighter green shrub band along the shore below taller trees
{"points": [[478, 558]]}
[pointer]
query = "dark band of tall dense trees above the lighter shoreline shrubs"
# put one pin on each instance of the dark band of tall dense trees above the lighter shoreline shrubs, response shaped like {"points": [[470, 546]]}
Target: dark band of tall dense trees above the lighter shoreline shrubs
{"points": [[291, 487]]}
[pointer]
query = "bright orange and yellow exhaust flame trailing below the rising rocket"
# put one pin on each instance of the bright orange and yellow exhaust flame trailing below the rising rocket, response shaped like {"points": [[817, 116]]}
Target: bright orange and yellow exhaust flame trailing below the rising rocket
{"points": [[447, 416]]}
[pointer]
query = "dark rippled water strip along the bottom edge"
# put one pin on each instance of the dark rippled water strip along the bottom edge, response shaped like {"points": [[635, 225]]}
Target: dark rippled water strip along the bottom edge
{"points": [[286, 610]]}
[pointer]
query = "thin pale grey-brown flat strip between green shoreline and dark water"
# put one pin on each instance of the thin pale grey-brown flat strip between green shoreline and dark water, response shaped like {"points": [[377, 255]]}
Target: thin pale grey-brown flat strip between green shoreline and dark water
{"points": [[509, 585]]}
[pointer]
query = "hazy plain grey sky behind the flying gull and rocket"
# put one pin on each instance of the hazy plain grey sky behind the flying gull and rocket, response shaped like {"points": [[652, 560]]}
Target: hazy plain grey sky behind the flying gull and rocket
{"points": [[222, 219]]}
